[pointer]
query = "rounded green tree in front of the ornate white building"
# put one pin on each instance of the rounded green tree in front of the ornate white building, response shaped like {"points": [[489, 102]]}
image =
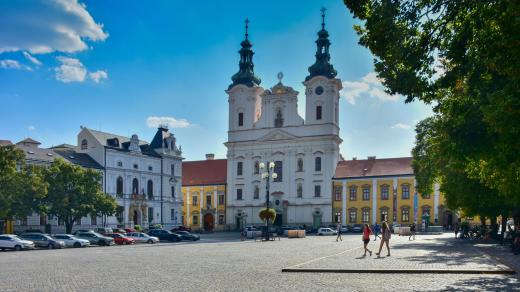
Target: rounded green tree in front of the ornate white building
{"points": [[74, 192]]}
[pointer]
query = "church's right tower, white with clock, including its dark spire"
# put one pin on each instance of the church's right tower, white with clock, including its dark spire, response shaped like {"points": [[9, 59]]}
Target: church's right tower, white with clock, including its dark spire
{"points": [[322, 87]]}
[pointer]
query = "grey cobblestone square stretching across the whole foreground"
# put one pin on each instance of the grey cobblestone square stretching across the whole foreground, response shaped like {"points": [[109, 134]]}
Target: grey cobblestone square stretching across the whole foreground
{"points": [[221, 262]]}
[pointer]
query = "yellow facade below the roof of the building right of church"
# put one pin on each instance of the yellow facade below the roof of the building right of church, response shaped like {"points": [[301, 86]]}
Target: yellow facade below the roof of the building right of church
{"points": [[361, 208]]}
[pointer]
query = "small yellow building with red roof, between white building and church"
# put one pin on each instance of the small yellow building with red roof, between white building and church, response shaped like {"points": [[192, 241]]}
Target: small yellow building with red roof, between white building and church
{"points": [[204, 193]]}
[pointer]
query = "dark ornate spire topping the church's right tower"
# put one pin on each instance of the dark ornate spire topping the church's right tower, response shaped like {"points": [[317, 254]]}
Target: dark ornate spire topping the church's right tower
{"points": [[322, 66]]}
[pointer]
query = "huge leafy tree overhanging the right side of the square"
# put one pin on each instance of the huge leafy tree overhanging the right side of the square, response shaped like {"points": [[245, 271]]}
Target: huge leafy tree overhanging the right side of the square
{"points": [[462, 56]]}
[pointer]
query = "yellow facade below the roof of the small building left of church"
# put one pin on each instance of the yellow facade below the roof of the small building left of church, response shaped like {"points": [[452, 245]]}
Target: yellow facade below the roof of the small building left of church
{"points": [[204, 207]]}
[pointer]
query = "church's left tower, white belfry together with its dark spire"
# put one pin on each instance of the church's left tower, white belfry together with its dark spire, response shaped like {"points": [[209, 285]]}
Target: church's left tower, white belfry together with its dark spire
{"points": [[245, 103]]}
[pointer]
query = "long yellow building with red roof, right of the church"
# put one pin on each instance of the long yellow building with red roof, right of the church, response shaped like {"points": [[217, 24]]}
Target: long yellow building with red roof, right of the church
{"points": [[373, 190]]}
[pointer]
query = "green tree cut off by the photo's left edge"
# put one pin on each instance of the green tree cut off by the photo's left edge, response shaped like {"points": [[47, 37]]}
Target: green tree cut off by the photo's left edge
{"points": [[22, 187]]}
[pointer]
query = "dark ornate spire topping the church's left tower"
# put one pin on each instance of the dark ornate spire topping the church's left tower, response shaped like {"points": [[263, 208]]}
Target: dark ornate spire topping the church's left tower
{"points": [[246, 74]]}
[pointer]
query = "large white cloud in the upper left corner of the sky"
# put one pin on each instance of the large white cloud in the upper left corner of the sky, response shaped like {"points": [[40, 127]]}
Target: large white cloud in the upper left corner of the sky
{"points": [[46, 26]]}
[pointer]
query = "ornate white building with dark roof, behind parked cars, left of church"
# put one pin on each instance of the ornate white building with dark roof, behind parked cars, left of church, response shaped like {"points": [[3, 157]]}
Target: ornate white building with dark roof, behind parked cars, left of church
{"points": [[144, 178]]}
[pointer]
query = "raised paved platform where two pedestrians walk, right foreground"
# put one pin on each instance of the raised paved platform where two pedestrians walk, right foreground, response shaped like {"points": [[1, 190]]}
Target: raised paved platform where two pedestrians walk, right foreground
{"points": [[426, 254]]}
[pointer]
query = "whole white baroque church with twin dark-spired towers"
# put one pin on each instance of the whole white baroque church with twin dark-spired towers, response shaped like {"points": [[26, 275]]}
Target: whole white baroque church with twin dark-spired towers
{"points": [[264, 126]]}
